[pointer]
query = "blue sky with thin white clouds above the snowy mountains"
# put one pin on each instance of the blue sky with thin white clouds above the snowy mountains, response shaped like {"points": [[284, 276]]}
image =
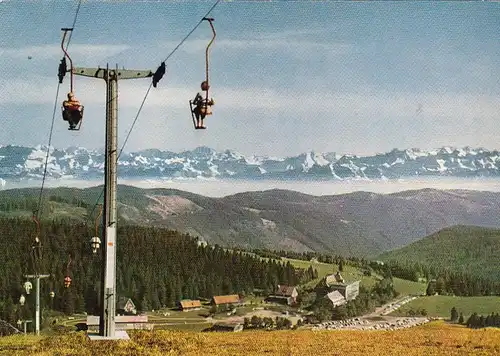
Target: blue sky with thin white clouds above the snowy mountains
{"points": [[347, 77]]}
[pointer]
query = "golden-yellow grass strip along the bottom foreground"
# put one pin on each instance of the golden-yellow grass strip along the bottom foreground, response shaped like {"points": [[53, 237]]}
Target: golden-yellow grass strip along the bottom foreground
{"points": [[436, 338]]}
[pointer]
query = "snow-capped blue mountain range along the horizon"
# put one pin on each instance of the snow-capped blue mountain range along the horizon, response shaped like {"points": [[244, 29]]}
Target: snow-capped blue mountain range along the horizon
{"points": [[76, 162]]}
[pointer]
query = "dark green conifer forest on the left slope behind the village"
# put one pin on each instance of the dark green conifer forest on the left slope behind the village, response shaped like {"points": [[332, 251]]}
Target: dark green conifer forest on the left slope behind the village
{"points": [[155, 266]]}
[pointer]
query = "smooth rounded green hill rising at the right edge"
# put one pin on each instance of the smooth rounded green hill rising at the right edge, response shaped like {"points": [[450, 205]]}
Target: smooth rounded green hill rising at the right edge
{"points": [[461, 248]]}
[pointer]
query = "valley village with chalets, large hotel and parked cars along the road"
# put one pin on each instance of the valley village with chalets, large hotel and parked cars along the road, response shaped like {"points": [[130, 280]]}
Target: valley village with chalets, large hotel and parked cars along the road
{"points": [[280, 309]]}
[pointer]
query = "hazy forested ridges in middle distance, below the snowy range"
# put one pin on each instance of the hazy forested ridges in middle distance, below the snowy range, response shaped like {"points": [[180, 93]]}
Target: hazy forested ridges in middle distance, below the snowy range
{"points": [[358, 224]]}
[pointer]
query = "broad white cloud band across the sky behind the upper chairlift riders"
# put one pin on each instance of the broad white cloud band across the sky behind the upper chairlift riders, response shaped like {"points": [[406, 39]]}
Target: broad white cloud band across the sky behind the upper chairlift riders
{"points": [[379, 104]]}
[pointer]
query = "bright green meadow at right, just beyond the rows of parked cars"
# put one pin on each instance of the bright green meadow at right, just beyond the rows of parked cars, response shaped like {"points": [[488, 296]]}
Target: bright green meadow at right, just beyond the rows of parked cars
{"points": [[440, 305]]}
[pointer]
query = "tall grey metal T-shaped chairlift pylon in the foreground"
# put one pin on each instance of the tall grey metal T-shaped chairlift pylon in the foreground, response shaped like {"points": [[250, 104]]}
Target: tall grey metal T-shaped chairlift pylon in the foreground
{"points": [[108, 276]]}
